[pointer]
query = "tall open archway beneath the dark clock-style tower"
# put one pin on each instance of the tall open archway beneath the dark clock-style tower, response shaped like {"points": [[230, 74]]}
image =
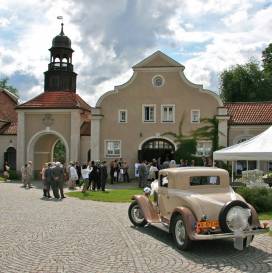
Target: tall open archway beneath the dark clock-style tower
{"points": [[41, 148]]}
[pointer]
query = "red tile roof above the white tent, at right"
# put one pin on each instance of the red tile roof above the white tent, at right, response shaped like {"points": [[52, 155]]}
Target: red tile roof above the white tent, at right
{"points": [[250, 113]]}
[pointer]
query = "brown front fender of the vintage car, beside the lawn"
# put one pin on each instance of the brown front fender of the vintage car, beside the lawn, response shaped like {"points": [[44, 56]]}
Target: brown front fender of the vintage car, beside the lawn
{"points": [[149, 212]]}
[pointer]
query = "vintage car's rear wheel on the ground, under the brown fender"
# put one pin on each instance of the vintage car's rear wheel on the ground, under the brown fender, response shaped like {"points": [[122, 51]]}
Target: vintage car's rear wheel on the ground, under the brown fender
{"points": [[180, 234]]}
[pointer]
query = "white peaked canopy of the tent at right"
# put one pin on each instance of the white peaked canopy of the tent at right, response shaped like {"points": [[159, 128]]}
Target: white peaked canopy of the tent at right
{"points": [[256, 148]]}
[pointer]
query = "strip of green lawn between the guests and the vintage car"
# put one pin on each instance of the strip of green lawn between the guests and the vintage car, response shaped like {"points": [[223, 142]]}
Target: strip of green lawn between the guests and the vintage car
{"points": [[119, 196]]}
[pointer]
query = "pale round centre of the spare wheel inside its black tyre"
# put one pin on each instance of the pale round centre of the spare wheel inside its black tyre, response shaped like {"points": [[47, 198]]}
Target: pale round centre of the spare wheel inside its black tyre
{"points": [[237, 218]]}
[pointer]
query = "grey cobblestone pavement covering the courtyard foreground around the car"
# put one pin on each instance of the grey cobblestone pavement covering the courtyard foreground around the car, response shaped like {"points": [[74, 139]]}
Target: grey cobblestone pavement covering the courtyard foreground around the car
{"points": [[78, 236]]}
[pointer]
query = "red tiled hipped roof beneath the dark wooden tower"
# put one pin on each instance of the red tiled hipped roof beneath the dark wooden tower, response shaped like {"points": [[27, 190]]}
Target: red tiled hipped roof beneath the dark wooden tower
{"points": [[56, 100]]}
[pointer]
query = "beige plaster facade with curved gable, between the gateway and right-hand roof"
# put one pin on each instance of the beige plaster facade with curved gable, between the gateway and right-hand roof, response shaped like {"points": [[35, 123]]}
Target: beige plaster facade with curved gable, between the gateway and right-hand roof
{"points": [[138, 91]]}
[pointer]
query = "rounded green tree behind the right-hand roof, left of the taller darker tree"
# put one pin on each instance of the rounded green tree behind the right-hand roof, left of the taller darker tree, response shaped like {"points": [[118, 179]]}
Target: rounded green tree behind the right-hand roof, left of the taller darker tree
{"points": [[243, 83]]}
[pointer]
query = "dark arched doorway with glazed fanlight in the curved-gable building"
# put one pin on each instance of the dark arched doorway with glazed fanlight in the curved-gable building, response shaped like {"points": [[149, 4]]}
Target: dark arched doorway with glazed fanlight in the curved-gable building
{"points": [[155, 148]]}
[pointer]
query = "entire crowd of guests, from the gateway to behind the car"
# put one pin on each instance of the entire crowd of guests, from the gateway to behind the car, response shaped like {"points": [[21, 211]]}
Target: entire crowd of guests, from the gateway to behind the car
{"points": [[93, 175]]}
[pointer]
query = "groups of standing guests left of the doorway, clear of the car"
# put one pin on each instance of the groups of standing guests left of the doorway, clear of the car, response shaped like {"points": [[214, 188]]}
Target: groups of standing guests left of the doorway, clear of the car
{"points": [[90, 176]]}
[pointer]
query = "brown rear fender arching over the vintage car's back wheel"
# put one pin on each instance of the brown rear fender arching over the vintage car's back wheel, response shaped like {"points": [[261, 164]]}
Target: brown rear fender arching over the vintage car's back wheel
{"points": [[189, 218]]}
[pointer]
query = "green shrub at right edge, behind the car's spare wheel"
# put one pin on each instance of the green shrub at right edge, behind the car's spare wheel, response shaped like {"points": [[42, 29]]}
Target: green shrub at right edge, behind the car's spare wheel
{"points": [[259, 198]]}
